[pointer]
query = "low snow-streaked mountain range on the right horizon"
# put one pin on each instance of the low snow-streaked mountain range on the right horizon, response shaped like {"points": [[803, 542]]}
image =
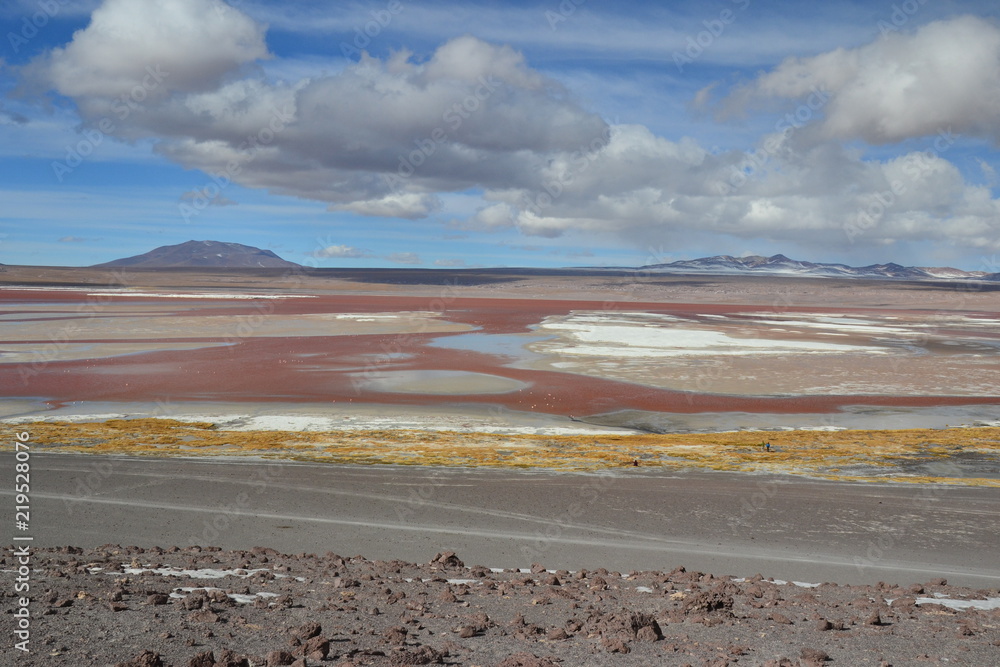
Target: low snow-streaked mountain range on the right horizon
{"points": [[779, 265]]}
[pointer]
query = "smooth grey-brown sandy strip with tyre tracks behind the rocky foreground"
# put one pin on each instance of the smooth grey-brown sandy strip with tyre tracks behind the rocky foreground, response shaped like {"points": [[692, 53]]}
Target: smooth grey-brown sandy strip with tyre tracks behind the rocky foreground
{"points": [[725, 523]]}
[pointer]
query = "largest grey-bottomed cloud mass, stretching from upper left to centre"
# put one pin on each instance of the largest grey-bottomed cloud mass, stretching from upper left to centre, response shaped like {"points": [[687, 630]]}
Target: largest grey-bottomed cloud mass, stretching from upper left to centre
{"points": [[379, 138]]}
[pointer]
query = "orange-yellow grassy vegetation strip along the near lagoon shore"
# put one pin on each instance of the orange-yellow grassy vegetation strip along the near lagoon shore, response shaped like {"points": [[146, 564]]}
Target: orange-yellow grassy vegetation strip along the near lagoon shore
{"points": [[877, 455]]}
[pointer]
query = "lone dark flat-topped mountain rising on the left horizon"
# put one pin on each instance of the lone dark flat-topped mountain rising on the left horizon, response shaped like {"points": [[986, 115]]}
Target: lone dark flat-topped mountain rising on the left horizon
{"points": [[207, 254]]}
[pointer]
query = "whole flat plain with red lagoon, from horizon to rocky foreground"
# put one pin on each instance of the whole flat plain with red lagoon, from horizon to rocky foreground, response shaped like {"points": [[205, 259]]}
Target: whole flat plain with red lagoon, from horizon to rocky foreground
{"points": [[557, 420]]}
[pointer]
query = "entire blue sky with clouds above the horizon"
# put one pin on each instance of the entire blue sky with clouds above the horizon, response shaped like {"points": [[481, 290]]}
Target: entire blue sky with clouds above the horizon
{"points": [[463, 134]]}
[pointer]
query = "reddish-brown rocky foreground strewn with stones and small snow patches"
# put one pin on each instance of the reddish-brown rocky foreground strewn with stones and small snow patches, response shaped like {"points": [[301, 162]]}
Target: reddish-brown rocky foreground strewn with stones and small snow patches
{"points": [[199, 607]]}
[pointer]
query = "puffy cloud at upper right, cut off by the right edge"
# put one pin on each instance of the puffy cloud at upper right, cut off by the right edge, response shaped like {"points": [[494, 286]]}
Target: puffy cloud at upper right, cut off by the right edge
{"points": [[946, 75]]}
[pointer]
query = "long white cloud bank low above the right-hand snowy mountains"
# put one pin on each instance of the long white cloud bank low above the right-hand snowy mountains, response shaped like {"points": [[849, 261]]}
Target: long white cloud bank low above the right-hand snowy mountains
{"points": [[657, 191]]}
